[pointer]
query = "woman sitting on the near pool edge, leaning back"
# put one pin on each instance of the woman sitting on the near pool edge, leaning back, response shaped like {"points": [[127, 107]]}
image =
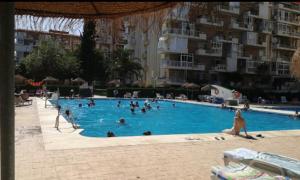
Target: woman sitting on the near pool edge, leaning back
{"points": [[238, 124]]}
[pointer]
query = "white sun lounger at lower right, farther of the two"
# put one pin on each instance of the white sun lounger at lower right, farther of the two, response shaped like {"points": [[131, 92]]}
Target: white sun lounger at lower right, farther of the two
{"points": [[265, 161]]}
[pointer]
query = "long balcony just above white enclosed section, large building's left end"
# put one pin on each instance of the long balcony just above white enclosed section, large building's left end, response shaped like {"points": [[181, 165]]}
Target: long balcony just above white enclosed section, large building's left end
{"points": [[185, 33]]}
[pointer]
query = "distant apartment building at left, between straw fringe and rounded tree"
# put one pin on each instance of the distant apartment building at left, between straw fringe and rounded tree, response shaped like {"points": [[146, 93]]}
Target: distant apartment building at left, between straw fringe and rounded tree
{"points": [[26, 40]]}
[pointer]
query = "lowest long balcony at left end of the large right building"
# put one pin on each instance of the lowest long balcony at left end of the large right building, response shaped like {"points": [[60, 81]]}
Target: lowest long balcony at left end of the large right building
{"points": [[170, 64]]}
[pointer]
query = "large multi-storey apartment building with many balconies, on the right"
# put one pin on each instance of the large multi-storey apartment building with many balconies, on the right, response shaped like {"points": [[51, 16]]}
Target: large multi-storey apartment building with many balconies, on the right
{"points": [[242, 37]]}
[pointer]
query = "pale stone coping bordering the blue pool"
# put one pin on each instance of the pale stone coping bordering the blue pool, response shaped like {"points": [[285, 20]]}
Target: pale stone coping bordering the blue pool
{"points": [[68, 138]]}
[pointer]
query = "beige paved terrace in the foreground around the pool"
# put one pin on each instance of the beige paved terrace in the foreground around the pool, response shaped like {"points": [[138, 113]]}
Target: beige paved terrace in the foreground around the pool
{"points": [[38, 158]]}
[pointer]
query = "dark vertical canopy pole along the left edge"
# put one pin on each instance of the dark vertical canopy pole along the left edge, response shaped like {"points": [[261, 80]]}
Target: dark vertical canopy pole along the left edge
{"points": [[7, 119]]}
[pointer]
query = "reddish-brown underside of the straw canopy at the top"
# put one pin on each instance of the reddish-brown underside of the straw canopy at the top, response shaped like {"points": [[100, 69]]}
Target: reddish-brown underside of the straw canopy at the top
{"points": [[88, 9]]}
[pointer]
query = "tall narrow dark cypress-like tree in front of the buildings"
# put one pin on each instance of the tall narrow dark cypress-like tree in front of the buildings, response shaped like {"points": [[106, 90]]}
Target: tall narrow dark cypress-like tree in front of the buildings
{"points": [[87, 51]]}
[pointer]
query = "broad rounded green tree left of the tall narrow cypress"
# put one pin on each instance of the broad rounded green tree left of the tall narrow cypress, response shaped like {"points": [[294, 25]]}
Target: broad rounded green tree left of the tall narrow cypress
{"points": [[49, 59]]}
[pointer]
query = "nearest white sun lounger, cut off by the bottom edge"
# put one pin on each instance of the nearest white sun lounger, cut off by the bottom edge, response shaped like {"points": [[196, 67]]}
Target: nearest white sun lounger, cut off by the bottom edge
{"points": [[241, 172]]}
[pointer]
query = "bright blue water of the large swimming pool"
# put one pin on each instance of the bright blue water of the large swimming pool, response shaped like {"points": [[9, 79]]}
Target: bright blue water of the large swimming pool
{"points": [[184, 118]]}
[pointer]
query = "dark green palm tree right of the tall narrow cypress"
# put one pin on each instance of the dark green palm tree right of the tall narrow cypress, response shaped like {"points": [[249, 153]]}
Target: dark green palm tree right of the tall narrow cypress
{"points": [[123, 66]]}
